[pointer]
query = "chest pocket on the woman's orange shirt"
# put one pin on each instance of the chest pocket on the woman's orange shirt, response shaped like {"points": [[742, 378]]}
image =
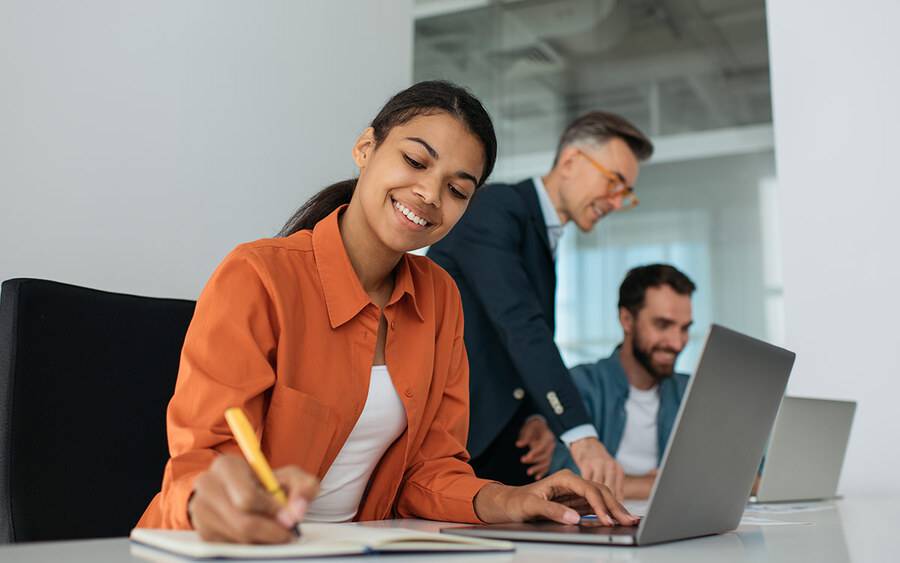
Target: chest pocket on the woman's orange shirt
{"points": [[298, 430]]}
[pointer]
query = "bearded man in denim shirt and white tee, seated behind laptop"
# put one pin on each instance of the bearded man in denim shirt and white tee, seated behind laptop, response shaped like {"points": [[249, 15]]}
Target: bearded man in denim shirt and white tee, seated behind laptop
{"points": [[633, 395]]}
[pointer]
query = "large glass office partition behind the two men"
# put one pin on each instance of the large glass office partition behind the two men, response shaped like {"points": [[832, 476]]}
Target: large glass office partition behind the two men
{"points": [[695, 77]]}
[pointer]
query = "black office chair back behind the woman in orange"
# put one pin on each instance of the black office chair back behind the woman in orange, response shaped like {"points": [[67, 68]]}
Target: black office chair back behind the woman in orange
{"points": [[85, 377]]}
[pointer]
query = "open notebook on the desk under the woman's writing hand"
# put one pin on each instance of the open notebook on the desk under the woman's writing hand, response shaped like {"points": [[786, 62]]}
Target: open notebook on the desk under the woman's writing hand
{"points": [[318, 540]]}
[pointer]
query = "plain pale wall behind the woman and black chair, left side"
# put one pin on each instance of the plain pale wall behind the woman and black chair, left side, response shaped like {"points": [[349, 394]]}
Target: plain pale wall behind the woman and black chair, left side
{"points": [[140, 141]]}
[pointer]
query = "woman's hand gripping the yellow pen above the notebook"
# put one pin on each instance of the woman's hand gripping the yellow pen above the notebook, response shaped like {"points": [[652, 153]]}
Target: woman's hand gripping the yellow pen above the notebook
{"points": [[229, 504]]}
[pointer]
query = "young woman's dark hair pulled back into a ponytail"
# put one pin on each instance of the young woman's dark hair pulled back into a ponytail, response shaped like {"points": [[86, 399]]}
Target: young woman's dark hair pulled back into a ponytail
{"points": [[423, 98]]}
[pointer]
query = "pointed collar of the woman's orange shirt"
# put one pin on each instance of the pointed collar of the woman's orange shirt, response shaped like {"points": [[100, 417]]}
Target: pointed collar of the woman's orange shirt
{"points": [[344, 294]]}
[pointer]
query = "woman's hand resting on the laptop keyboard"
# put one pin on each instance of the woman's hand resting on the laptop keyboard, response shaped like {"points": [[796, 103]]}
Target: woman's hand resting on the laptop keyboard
{"points": [[562, 497]]}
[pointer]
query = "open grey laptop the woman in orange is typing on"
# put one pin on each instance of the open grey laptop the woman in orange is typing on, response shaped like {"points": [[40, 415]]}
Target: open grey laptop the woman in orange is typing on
{"points": [[711, 459]]}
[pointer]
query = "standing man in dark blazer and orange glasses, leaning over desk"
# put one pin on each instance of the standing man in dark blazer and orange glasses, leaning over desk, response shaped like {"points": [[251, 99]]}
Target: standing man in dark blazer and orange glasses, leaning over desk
{"points": [[501, 255]]}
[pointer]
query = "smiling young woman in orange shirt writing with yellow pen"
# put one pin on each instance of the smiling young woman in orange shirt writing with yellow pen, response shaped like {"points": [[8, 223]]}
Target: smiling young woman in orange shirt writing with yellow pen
{"points": [[347, 354]]}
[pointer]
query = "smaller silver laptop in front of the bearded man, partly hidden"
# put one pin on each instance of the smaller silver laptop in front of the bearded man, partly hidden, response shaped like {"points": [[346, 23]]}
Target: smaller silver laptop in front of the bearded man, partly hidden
{"points": [[806, 451]]}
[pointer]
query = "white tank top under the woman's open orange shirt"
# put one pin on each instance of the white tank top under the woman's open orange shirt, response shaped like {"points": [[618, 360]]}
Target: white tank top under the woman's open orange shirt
{"points": [[381, 422]]}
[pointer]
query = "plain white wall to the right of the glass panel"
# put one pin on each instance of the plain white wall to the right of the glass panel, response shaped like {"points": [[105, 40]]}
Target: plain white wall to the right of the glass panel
{"points": [[836, 86]]}
